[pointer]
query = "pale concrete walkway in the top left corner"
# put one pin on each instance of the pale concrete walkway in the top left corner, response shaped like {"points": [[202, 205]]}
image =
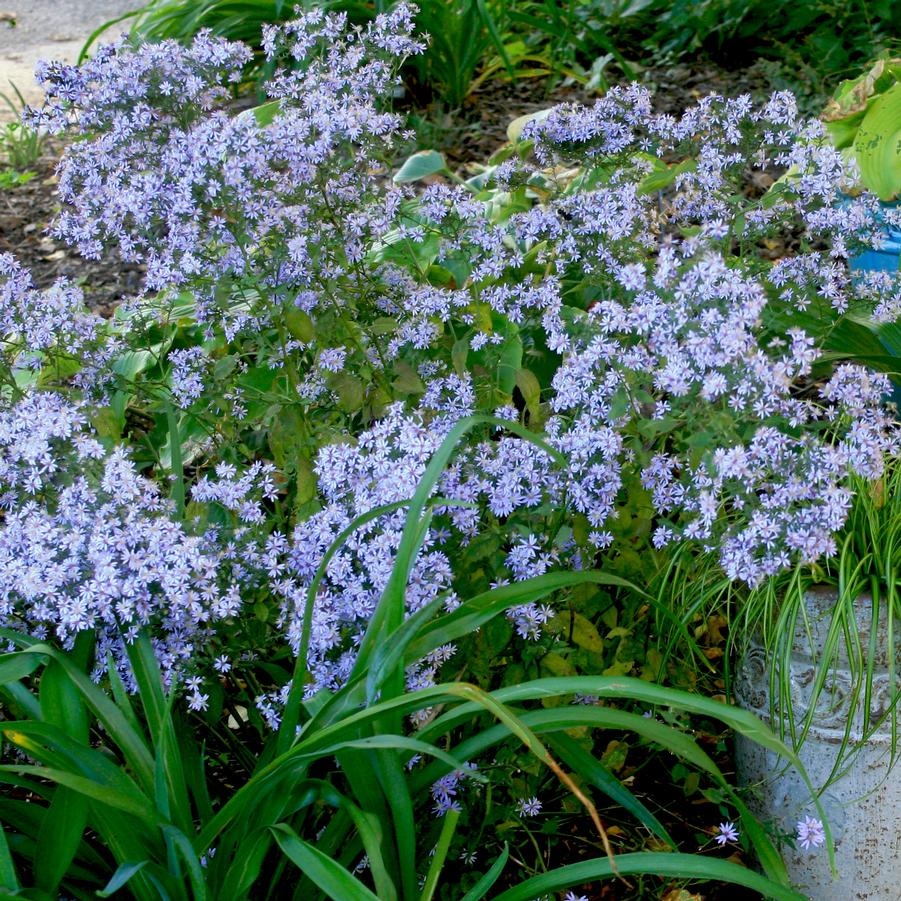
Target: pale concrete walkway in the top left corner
{"points": [[49, 29]]}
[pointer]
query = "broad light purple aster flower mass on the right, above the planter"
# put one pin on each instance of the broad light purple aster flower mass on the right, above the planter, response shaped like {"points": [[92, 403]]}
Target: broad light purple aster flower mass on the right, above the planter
{"points": [[661, 312]]}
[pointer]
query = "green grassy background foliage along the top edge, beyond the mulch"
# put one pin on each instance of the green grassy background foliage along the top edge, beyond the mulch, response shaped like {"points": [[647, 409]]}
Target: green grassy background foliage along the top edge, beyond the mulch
{"points": [[476, 40]]}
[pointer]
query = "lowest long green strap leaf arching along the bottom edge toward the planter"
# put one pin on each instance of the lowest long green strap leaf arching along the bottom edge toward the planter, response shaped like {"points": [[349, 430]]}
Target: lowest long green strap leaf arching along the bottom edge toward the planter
{"points": [[678, 866]]}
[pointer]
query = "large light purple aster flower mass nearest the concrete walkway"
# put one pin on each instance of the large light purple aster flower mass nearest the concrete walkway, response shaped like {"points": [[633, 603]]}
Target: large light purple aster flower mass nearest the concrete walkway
{"points": [[270, 204]]}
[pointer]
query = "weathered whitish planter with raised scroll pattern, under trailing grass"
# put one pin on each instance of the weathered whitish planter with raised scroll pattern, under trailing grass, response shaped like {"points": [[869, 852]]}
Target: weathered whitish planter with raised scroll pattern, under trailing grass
{"points": [[863, 806]]}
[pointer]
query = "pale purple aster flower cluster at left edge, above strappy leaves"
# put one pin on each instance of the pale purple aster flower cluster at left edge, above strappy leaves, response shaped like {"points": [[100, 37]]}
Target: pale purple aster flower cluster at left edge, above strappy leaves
{"points": [[88, 543]]}
